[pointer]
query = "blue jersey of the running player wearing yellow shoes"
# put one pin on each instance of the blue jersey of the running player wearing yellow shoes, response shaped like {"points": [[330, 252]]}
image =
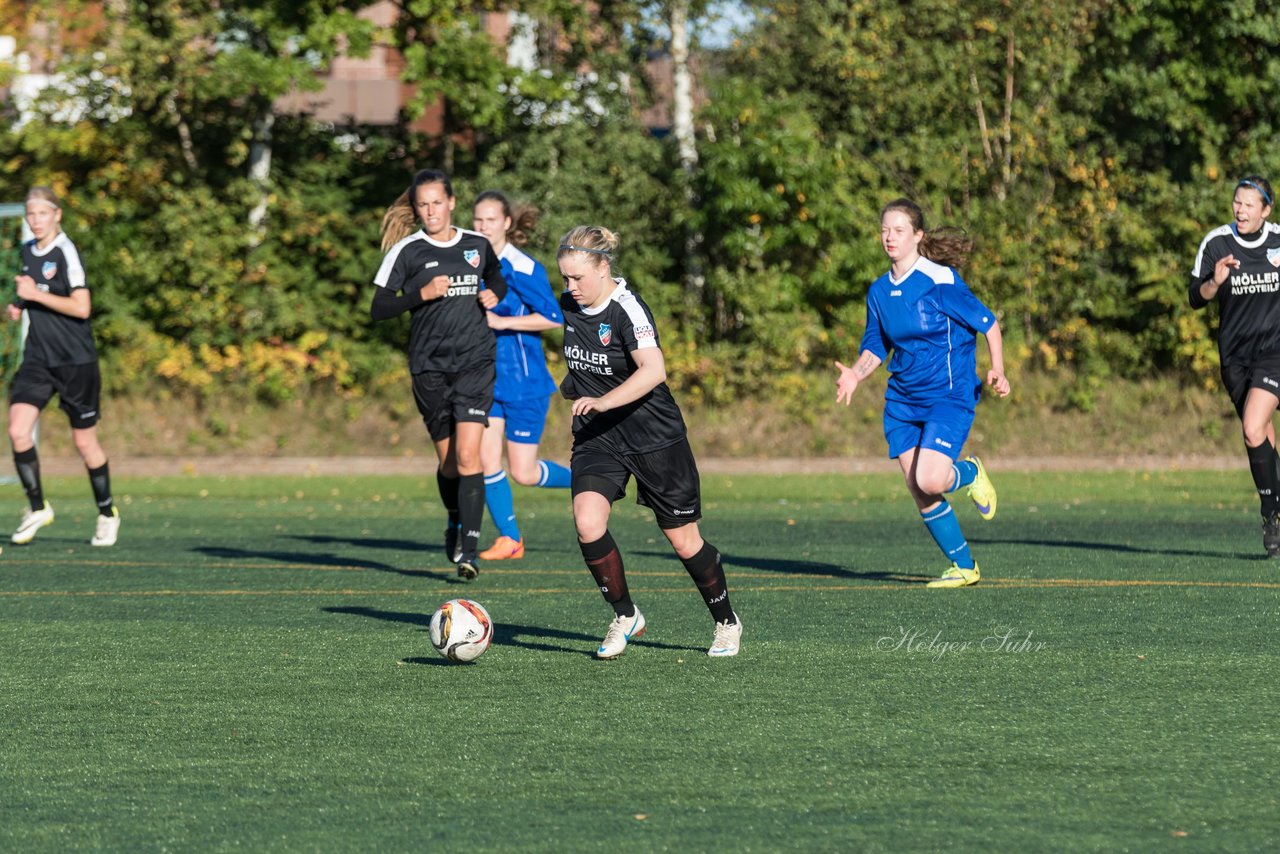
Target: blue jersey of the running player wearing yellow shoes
{"points": [[930, 321]]}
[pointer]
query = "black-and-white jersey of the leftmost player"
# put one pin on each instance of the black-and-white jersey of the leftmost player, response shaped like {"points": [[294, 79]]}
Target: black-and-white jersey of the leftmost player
{"points": [[56, 340]]}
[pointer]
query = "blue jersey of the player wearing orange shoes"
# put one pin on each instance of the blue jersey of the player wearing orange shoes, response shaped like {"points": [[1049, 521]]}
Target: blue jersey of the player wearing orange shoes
{"points": [[522, 362]]}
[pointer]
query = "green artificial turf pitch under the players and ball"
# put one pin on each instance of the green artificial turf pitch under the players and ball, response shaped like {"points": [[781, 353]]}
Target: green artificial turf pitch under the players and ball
{"points": [[250, 669]]}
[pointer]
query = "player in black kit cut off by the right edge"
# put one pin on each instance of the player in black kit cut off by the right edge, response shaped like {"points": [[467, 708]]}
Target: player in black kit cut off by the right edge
{"points": [[1238, 264]]}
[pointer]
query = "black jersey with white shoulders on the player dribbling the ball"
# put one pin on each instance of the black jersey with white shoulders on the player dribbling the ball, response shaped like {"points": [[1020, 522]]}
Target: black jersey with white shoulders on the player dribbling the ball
{"points": [[598, 346]]}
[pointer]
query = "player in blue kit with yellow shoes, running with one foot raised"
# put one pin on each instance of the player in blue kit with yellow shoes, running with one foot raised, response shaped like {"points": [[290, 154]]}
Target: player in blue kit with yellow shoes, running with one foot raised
{"points": [[926, 314]]}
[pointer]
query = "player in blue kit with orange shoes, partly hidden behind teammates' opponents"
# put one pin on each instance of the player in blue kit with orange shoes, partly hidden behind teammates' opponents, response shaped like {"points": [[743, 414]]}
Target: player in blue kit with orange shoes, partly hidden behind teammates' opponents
{"points": [[524, 387]]}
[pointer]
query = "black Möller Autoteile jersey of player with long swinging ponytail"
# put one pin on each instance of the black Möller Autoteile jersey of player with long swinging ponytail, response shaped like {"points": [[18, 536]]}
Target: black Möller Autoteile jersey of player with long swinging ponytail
{"points": [[451, 334]]}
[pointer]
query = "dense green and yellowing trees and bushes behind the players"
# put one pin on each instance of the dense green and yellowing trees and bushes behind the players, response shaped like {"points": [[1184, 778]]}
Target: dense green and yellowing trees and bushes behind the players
{"points": [[1087, 147]]}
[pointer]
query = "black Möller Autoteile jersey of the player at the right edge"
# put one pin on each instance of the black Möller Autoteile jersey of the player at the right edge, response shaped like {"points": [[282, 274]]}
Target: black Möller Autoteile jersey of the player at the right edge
{"points": [[1250, 299]]}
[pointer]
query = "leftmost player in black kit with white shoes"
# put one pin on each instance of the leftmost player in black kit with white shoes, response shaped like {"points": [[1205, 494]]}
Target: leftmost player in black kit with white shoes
{"points": [[60, 358]]}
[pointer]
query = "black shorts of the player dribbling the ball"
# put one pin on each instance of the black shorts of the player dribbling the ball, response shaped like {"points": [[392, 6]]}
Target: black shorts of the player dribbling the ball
{"points": [[666, 481]]}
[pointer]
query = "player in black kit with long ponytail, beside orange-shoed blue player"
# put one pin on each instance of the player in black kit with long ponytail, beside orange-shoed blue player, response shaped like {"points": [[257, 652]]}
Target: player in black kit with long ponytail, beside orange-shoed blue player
{"points": [[446, 278]]}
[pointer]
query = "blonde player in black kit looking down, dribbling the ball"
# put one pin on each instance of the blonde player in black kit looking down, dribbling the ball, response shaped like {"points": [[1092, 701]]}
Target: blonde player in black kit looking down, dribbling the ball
{"points": [[627, 426]]}
